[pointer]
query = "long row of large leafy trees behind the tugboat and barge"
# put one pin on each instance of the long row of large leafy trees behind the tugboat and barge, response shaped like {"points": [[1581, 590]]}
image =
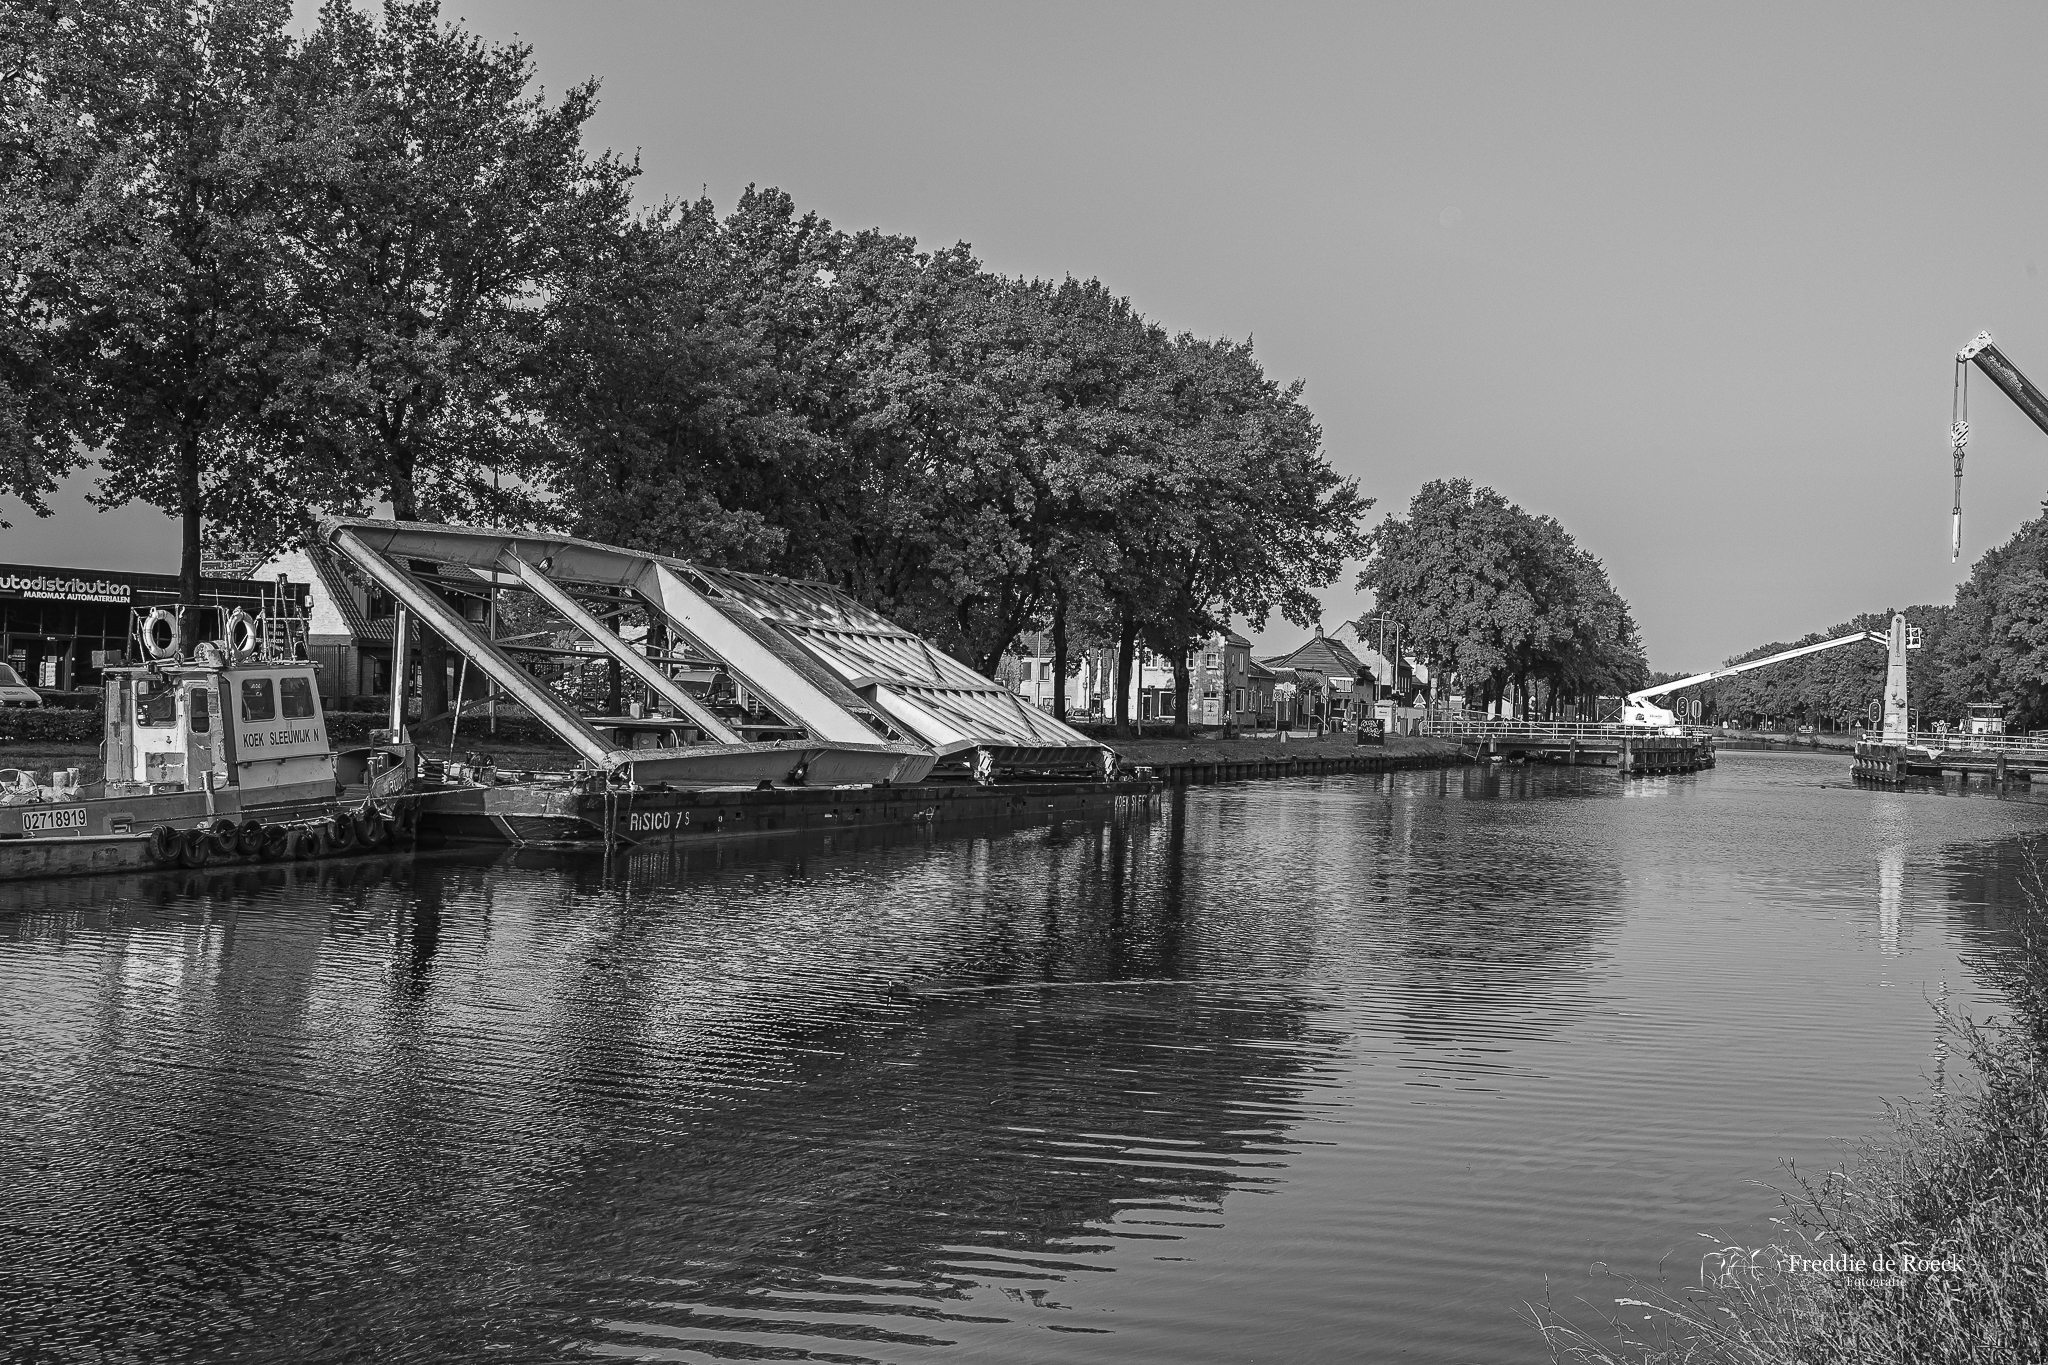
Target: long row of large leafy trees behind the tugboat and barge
{"points": [[257, 275]]}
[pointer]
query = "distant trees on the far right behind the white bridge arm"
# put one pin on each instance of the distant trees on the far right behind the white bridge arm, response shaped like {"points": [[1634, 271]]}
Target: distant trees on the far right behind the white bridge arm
{"points": [[1992, 646]]}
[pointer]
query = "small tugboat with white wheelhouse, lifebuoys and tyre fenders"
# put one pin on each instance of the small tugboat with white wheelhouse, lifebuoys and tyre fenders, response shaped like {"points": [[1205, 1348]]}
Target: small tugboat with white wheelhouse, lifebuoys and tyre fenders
{"points": [[216, 758]]}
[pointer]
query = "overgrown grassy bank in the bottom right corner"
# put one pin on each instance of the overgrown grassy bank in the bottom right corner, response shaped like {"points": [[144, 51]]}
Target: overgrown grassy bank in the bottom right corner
{"points": [[1930, 1245]]}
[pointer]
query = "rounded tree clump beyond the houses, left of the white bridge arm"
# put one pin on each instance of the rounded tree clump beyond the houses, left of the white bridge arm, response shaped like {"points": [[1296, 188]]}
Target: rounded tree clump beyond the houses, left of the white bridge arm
{"points": [[1506, 601]]}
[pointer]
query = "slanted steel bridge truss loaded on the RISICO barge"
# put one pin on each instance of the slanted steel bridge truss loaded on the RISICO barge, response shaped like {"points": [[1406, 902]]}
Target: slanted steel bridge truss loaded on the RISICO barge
{"points": [[867, 699]]}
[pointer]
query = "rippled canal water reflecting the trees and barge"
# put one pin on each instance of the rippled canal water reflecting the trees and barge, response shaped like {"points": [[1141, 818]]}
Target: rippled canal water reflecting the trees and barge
{"points": [[1326, 1071]]}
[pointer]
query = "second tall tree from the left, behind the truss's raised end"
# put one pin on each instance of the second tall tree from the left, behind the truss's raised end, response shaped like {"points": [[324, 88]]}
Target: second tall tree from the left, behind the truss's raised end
{"points": [[437, 202]]}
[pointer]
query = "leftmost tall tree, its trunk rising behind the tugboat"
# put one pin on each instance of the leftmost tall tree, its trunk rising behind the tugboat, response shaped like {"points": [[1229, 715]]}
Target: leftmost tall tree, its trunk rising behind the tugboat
{"points": [[165, 181]]}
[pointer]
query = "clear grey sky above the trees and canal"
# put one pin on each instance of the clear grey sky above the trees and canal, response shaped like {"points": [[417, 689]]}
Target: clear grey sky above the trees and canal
{"points": [[1689, 279]]}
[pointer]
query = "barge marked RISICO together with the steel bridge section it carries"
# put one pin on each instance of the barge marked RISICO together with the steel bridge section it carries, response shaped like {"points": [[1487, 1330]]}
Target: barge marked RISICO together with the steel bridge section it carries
{"points": [[757, 703]]}
